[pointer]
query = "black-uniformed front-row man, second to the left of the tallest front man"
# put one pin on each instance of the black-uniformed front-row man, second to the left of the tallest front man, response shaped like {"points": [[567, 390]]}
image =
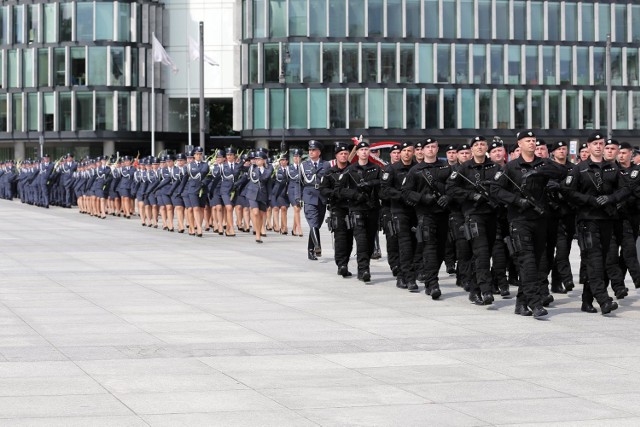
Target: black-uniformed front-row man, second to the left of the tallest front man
{"points": [[424, 188]]}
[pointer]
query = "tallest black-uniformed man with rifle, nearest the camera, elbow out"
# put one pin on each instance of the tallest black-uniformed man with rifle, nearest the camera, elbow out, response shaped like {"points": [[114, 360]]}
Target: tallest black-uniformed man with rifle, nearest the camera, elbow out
{"points": [[522, 187]]}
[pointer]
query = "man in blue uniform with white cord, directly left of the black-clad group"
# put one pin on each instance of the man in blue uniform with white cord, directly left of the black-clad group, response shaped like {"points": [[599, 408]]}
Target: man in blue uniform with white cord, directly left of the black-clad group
{"points": [[311, 172]]}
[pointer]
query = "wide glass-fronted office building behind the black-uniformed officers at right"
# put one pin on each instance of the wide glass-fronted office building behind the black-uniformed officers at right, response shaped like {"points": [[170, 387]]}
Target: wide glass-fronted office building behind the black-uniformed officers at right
{"points": [[404, 69]]}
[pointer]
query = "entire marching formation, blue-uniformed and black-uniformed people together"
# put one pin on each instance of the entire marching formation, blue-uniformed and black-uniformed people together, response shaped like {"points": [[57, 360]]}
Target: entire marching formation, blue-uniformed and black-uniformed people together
{"points": [[494, 215]]}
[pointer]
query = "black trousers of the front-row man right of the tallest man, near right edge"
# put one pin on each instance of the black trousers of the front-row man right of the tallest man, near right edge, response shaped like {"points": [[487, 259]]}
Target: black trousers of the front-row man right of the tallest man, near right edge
{"points": [[594, 238]]}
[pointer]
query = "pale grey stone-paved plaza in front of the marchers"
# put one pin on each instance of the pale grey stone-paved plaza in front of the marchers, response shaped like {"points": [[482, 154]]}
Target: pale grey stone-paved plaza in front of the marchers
{"points": [[104, 323]]}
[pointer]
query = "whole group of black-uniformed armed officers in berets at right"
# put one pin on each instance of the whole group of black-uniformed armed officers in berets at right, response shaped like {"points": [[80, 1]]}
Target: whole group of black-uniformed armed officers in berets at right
{"points": [[504, 222]]}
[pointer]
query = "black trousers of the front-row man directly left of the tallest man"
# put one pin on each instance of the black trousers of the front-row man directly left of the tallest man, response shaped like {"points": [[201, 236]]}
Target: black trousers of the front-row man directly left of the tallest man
{"points": [[483, 236]]}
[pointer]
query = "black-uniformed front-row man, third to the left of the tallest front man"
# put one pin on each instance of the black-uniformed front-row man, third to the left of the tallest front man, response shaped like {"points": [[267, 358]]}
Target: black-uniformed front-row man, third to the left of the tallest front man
{"points": [[403, 216]]}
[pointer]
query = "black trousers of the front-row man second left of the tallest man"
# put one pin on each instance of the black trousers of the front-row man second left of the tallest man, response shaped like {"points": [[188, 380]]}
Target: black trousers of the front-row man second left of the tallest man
{"points": [[435, 231]]}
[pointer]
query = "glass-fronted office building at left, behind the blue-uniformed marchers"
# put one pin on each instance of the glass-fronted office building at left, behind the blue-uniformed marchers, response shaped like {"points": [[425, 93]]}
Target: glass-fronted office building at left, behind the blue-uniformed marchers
{"points": [[75, 73]]}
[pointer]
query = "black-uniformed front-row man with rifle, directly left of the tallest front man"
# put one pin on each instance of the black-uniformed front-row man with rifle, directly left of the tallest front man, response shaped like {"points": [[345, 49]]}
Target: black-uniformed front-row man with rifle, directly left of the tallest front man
{"points": [[469, 187]]}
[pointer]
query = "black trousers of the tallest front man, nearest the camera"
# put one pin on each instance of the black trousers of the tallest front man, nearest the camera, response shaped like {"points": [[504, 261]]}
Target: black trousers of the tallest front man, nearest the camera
{"points": [[529, 240]]}
